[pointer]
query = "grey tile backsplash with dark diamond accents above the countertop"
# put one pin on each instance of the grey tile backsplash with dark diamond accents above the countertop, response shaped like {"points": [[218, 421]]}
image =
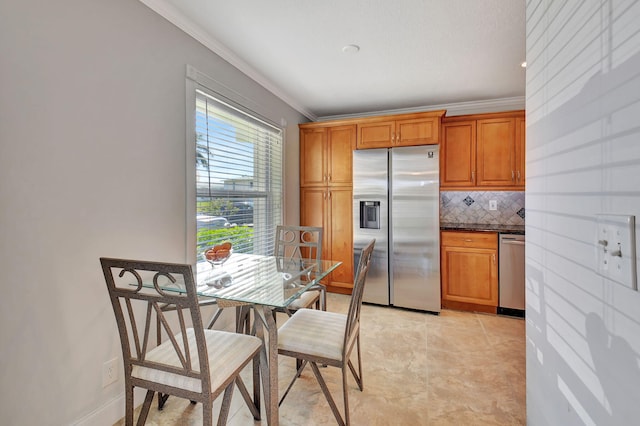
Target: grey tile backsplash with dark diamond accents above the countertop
{"points": [[473, 207]]}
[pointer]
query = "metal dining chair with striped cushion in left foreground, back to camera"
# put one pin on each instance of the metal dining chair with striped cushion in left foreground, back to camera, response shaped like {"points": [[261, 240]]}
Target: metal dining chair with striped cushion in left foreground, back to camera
{"points": [[193, 362]]}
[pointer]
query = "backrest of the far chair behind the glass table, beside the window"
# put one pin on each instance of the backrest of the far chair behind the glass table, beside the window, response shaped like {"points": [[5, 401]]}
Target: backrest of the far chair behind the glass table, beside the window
{"points": [[299, 242]]}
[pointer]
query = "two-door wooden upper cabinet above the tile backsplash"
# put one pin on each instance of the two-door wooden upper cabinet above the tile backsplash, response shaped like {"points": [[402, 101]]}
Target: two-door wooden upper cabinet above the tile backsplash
{"points": [[483, 151]]}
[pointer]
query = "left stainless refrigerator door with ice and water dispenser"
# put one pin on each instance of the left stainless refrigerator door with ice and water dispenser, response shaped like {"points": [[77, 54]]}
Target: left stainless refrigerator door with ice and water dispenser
{"points": [[370, 191]]}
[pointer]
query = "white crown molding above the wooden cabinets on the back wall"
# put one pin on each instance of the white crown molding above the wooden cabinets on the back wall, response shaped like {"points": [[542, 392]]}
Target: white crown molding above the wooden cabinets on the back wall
{"points": [[453, 109]]}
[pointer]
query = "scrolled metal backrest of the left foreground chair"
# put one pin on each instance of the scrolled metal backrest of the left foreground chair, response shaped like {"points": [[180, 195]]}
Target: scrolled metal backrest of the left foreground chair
{"points": [[138, 292]]}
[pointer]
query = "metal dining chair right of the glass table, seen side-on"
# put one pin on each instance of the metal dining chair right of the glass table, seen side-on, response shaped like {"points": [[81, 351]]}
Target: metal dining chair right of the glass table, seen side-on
{"points": [[327, 338]]}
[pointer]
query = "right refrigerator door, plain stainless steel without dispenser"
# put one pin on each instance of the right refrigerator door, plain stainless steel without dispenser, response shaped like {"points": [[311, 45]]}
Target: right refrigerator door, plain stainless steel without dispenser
{"points": [[415, 230]]}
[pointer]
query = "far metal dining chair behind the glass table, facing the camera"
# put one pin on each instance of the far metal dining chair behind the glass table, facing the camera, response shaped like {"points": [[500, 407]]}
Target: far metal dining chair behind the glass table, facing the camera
{"points": [[302, 242]]}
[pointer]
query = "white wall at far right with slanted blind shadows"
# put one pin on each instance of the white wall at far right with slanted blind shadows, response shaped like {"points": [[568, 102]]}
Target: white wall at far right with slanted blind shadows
{"points": [[583, 158]]}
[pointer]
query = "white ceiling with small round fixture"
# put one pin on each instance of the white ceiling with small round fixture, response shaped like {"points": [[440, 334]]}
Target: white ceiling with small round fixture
{"points": [[413, 53]]}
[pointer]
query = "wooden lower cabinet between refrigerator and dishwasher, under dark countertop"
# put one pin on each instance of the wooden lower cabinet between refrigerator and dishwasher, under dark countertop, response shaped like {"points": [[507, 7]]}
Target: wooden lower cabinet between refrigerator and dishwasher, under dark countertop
{"points": [[469, 270]]}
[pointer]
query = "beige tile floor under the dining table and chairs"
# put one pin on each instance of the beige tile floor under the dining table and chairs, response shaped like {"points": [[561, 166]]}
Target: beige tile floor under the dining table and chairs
{"points": [[456, 368]]}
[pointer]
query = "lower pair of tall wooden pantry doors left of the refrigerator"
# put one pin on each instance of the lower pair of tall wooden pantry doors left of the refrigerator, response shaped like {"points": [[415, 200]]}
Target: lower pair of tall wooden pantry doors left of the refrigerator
{"points": [[330, 208]]}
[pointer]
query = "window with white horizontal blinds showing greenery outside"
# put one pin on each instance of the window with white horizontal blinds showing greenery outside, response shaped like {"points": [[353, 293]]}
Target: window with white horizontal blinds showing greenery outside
{"points": [[238, 168]]}
